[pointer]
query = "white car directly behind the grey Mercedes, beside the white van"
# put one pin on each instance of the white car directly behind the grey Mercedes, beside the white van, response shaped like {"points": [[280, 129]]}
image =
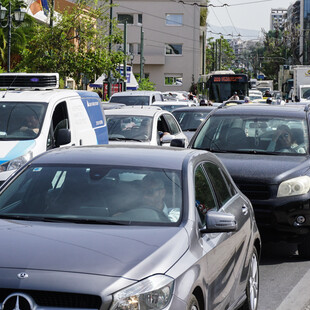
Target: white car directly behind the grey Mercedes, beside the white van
{"points": [[146, 124]]}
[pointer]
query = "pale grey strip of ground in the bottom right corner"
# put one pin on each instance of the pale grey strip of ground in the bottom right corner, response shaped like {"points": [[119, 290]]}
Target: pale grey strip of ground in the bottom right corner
{"points": [[299, 297]]}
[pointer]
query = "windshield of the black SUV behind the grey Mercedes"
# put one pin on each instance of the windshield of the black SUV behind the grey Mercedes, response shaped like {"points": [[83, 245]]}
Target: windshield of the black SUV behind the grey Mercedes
{"points": [[254, 134]]}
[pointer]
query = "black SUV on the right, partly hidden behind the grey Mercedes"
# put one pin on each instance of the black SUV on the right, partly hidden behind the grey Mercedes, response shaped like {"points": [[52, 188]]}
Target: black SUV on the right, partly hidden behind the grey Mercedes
{"points": [[266, 151]]}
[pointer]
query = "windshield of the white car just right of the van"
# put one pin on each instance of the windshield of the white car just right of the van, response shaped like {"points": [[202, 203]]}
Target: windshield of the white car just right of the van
{"points": [[129, 127]]}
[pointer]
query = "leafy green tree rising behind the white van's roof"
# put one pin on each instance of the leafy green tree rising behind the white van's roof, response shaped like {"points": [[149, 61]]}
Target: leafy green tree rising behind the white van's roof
{"points": [[77, 45]]}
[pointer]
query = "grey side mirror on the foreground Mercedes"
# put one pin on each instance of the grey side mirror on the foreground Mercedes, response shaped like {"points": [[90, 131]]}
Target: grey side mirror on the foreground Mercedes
{"points": [[219, 222]]}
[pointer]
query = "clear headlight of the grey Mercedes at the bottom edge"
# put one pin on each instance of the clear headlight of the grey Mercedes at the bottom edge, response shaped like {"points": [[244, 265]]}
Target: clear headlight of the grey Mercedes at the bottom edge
{"points": [[152, 293]]}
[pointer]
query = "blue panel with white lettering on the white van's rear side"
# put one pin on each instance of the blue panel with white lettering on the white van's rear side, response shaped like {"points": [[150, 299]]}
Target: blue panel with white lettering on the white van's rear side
{"points": [[92, 104]]}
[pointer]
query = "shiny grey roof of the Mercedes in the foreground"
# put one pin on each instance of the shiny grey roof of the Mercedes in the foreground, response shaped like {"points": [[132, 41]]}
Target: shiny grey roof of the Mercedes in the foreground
{"points": [[121, 155]]}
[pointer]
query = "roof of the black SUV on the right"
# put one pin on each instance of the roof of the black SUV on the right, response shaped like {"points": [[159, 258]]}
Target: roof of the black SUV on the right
{"points": [[264, 110]]}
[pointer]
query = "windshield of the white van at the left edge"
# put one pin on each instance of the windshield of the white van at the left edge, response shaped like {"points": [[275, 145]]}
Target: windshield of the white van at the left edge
{"points": [[21, 120]]}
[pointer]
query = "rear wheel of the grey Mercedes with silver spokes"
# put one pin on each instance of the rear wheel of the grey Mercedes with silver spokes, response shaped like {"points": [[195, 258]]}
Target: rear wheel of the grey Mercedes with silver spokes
{"points": [[252, 288]]}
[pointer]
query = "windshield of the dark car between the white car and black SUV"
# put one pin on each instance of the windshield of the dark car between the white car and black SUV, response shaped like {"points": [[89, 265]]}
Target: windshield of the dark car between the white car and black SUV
{"points": [[190, 120]]}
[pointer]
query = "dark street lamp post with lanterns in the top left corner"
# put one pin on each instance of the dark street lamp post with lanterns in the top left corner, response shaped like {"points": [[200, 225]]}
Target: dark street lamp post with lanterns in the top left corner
{"points": [[19, 15]]}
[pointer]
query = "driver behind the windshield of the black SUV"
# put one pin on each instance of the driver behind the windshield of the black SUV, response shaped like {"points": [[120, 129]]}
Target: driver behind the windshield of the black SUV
{"points": [[284, 141]]}
